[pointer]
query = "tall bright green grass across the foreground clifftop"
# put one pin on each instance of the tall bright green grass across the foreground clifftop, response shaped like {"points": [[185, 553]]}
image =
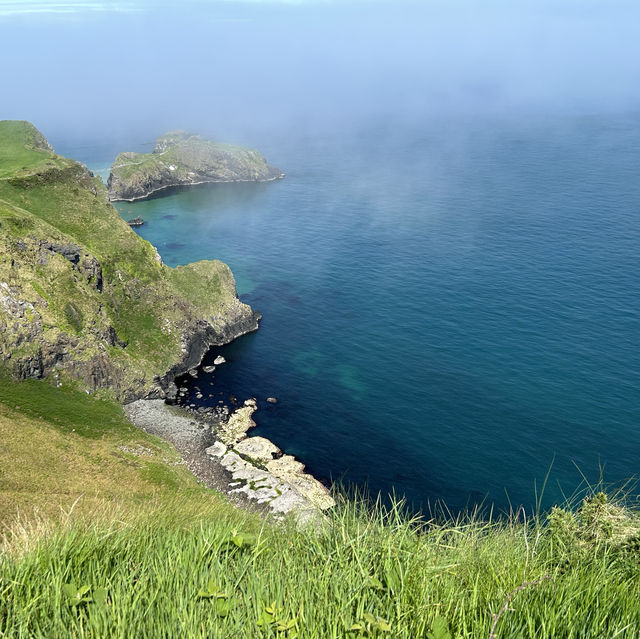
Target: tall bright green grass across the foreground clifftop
{"points": [[180, 571]]}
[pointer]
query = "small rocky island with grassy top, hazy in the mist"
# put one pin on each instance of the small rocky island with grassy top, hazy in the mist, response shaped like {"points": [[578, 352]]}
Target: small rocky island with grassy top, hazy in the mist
{"points": [[180, 159]]}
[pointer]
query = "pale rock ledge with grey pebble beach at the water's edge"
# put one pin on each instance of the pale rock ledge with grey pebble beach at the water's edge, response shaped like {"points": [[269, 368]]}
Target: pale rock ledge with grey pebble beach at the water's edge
{"points": [[250, 470]]}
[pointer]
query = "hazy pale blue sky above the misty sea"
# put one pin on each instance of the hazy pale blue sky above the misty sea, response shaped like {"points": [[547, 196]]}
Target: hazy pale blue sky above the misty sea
{"points": [[238, 66]]}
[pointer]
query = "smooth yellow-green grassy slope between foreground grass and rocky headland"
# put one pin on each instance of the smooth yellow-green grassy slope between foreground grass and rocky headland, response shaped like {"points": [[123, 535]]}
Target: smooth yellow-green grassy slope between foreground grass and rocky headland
{"points": [[59, 445]]}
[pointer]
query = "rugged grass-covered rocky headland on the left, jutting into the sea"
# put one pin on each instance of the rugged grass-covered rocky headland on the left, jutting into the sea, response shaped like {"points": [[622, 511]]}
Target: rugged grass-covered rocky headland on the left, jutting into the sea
{"points": [[82, 297]]}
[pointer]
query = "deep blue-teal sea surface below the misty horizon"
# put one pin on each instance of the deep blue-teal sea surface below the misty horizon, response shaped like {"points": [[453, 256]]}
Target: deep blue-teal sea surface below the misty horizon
{"points": [[451, 307]]}
